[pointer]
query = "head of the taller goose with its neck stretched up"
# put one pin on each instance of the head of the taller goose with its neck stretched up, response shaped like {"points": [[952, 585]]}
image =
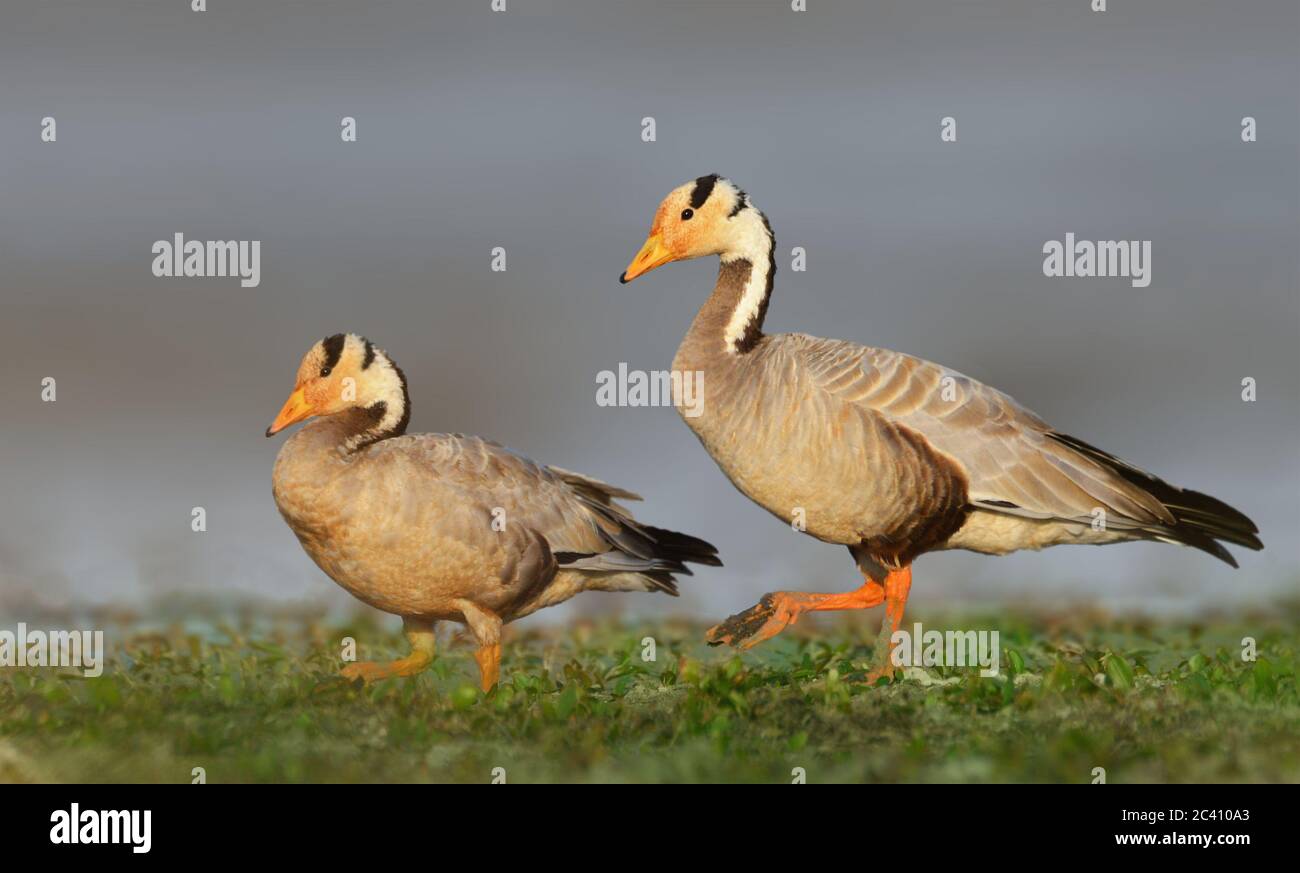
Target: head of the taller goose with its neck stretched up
{"points": [[708, 216]]}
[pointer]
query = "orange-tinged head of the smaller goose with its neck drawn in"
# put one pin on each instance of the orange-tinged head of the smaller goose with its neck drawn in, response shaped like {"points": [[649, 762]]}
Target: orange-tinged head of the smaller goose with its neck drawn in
{"points": [[344, 373]]}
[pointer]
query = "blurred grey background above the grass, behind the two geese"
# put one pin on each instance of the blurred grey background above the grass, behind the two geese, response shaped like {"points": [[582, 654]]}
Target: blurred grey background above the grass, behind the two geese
{"points": [[522, 129]]}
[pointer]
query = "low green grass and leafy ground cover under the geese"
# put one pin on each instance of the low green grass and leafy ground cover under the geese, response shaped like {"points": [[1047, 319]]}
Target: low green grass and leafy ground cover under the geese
{"points": [[1147, 702]]}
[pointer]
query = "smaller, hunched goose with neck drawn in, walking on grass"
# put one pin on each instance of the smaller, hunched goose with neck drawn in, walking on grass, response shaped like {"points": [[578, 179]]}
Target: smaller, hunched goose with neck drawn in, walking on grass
{"points": [[445, 527]]}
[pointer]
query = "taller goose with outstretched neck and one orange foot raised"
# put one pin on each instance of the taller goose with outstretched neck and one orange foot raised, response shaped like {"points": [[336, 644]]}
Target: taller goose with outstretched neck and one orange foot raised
{"points": [[883, 453]]}
